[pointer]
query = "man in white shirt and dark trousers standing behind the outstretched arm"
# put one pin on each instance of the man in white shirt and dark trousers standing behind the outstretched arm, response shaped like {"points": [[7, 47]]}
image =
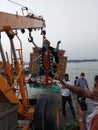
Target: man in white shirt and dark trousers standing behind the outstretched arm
{"points": [[66, 96]]}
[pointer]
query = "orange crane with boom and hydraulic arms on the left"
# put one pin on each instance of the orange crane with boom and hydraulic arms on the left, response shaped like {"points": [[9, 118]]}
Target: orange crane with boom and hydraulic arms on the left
{"points": [[9, 23]]}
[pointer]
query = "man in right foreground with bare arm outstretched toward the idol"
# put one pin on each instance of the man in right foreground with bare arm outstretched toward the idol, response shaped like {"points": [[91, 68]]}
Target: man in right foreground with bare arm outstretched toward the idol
{"points": [[92, 119]]}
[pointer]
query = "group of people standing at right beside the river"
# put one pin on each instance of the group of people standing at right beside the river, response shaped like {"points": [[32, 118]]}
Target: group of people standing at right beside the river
{"points": [[82, 90]]}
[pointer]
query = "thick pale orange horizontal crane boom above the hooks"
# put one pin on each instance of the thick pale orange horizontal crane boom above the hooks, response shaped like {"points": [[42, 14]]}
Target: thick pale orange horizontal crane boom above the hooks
{"points": [[15, 21]]}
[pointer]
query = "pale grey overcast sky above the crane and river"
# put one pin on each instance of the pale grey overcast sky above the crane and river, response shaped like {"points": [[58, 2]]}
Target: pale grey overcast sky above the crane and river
{"points": [[74, 22]]}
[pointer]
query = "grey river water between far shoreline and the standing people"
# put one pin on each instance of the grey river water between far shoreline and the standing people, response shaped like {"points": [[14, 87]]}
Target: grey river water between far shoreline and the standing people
{"points": [[89, 68]]}
